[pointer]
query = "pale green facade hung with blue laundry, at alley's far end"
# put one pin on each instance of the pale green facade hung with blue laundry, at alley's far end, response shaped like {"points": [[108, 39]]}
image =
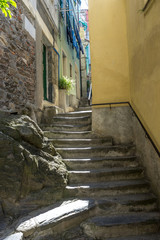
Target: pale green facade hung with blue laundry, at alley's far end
{"points": [[70, 46]]}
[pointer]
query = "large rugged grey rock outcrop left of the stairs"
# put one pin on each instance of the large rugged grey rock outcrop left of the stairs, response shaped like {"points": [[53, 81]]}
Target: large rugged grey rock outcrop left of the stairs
{"points": [[32, 174]]}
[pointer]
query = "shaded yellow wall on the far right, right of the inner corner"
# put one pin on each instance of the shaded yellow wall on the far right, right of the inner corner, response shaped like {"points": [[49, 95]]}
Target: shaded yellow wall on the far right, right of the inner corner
{"points": [[144, 58]]}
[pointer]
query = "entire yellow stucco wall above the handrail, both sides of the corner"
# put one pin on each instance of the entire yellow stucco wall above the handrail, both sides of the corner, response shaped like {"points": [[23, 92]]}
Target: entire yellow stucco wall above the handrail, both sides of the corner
{"points": [[125, 57]]}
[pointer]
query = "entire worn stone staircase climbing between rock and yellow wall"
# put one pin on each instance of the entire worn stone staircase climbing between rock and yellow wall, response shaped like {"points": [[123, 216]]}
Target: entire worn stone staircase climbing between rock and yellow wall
{"points": [[107, 196]]}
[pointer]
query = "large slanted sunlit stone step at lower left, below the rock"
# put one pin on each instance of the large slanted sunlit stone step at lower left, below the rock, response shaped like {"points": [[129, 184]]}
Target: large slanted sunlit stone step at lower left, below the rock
{"points": [[51, 220]]}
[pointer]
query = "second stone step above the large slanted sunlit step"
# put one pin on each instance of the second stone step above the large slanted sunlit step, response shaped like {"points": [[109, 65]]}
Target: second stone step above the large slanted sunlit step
{"points": [[105, 174]]}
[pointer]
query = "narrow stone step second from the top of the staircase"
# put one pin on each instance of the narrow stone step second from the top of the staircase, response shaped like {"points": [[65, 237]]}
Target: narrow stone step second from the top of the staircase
{"points": [[72, 120]]}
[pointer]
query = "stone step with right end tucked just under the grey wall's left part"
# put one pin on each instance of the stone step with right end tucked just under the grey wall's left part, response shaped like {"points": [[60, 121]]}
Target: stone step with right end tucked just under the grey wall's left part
{"points": [[81, 142]]}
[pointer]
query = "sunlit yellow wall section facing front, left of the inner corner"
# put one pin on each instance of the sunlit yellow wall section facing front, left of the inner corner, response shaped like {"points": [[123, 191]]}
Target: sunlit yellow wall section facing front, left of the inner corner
{"points": [[109, 51]]}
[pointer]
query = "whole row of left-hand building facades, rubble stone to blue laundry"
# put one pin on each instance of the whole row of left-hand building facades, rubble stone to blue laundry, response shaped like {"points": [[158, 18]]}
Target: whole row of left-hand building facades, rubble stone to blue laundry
{"points": [[35, 52]]}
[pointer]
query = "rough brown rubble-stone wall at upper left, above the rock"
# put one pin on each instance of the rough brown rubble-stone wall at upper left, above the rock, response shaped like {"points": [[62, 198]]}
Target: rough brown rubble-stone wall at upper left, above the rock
{"points": [[17, 62]]}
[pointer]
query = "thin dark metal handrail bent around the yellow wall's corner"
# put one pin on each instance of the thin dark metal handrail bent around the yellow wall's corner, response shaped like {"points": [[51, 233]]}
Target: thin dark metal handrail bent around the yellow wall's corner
{"points": [[147, 134]]}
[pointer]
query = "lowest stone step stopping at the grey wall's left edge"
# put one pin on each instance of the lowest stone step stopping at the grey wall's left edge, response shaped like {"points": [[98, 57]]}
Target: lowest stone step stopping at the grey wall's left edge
{"points": [[68, 135]]}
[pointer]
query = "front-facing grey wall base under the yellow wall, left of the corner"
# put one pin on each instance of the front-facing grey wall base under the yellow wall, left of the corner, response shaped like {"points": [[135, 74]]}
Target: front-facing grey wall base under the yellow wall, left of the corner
{"points": [[115, 122]]}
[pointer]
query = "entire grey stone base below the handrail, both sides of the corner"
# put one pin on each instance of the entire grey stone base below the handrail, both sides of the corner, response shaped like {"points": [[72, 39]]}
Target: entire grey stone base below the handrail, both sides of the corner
{"points": [[122, 124]]}
